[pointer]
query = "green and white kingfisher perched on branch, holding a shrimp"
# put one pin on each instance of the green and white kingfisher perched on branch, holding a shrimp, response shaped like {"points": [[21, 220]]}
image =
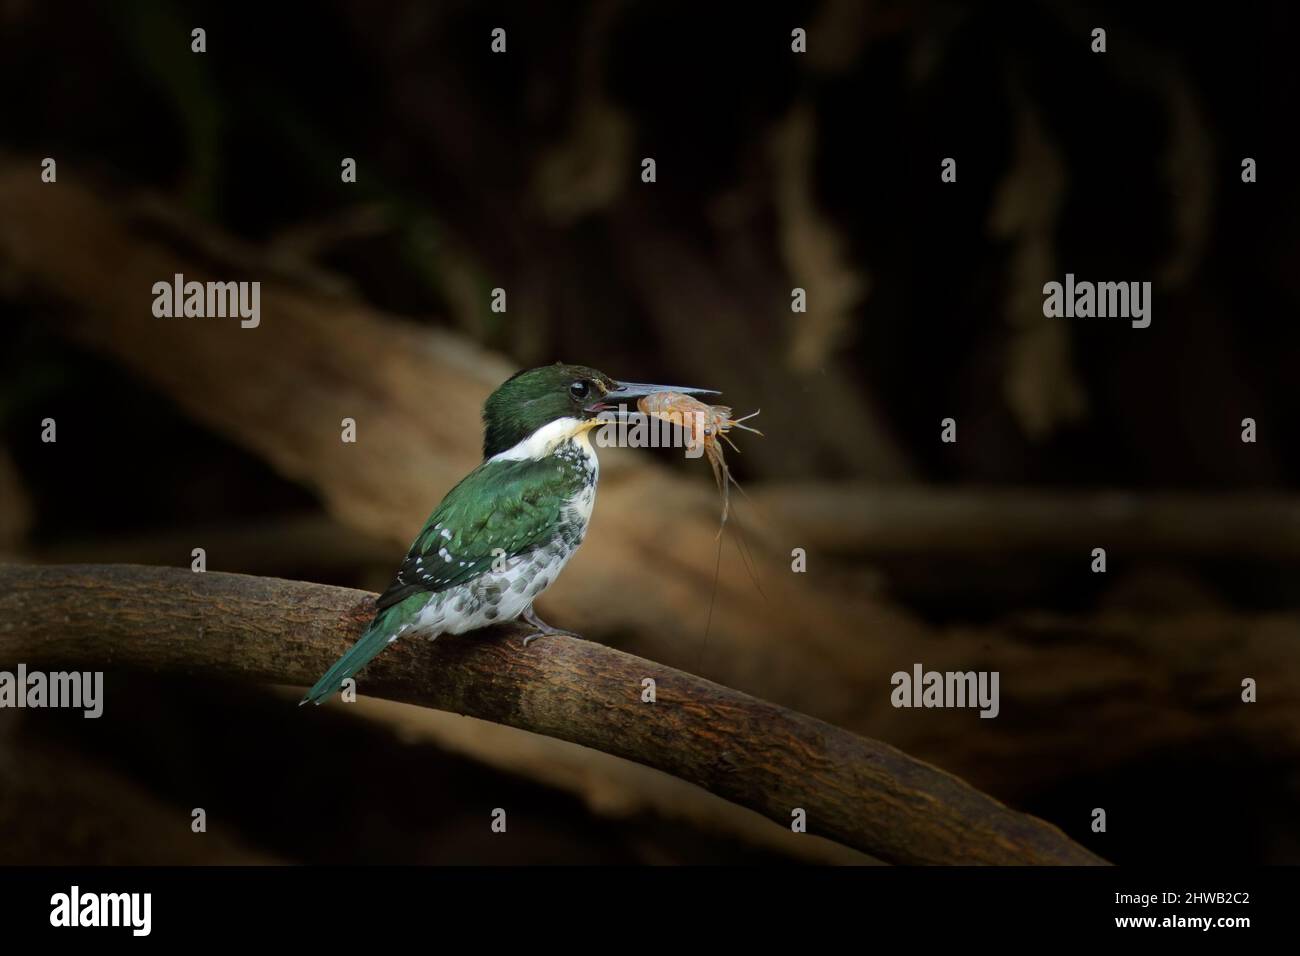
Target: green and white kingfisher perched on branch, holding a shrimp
{"points": [[505, 533]]}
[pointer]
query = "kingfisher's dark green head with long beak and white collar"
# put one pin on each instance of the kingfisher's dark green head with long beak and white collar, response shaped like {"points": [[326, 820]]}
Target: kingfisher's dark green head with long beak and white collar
{"points": [[536, 409]]}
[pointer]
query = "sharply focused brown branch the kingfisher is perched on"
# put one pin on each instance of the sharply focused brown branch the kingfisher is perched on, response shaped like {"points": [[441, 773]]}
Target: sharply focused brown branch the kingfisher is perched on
{"points": [[861, 793]]}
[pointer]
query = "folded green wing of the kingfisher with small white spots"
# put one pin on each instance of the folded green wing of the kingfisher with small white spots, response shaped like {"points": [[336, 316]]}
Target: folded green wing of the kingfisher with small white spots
{"points": [[510, 505]]}
